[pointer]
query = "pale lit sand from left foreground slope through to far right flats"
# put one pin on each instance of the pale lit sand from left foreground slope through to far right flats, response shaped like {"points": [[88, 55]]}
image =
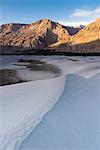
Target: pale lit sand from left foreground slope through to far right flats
{"points": [[23, 105]]}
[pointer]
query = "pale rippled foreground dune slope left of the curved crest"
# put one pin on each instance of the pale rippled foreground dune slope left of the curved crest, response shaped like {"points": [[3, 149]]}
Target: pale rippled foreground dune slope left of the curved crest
{"points": [[23, 106]]}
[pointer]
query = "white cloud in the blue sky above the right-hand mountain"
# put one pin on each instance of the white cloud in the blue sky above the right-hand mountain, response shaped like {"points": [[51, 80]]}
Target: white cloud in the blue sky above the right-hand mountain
{"points": [[83, 16]]}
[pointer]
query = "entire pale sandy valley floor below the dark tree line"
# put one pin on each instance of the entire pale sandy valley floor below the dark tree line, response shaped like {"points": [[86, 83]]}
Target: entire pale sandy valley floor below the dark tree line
{"points": [[56, 108]]}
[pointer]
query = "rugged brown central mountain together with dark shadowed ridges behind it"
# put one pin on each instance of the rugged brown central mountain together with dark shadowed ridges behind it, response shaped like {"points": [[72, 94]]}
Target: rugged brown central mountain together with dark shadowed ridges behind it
{"points": [[40, 34]]}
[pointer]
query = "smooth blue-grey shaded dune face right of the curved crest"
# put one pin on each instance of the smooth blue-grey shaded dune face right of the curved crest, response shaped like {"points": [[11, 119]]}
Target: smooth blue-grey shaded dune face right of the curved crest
{"points": [[74, 122]]}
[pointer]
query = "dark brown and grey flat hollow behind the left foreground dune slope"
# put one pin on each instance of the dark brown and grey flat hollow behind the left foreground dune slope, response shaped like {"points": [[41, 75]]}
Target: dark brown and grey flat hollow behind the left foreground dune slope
{"points": [[28, 70]]}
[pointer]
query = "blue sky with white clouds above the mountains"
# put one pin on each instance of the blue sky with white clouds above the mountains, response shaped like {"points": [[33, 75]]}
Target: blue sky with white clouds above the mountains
{"points": [[66, 12]]}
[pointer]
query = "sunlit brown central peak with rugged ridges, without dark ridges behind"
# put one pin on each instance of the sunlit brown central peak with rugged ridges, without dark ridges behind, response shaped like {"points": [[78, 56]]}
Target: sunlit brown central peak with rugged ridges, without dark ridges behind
{"points": [[38, 35]]}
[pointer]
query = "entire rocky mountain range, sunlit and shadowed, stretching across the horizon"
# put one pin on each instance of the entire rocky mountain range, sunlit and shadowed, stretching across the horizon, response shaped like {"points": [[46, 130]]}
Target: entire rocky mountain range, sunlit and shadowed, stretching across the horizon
{"points": [[48, 36]]}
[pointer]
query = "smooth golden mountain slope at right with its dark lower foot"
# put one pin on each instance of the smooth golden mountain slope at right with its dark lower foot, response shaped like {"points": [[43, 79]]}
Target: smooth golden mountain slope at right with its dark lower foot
{"points": [[86, 40]]}
